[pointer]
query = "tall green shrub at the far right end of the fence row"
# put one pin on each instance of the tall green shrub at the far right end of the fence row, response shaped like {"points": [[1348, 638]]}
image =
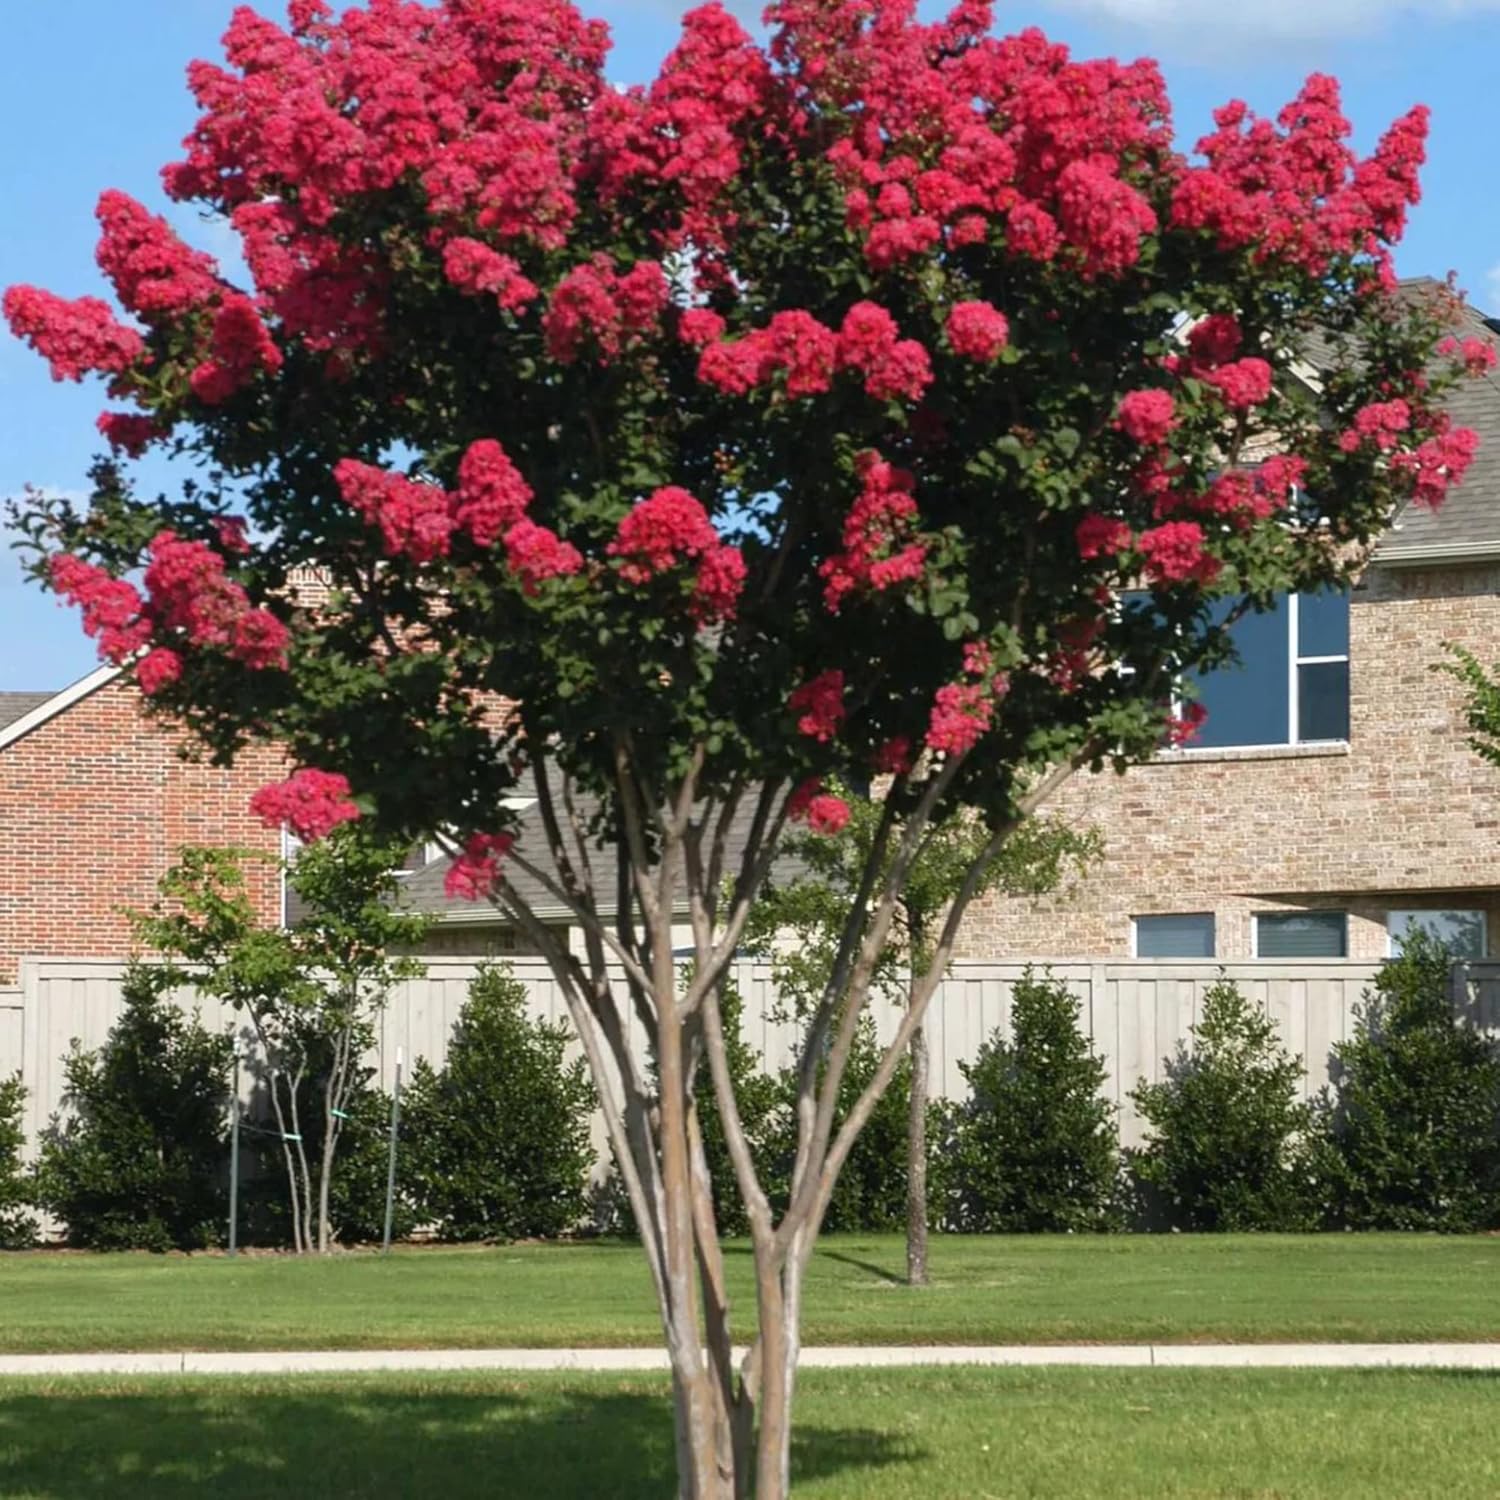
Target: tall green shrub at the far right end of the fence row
{"points": [[1411, 1127]]}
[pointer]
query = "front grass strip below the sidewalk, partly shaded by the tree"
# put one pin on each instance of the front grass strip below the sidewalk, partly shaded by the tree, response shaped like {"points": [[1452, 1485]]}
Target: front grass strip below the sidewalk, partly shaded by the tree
{"points": [[959, 1435]]}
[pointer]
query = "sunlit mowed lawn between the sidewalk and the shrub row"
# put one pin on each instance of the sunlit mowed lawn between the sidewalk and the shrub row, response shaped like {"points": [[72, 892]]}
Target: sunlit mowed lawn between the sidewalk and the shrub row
{"points": [[1003, 1291]]}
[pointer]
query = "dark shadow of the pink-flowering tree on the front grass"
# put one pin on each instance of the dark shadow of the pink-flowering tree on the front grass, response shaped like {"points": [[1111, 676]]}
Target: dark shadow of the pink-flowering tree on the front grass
{"points": [[448, 1438]]}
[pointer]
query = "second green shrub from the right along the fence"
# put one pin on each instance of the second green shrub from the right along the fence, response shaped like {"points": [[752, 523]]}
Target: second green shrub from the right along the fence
{"points": [[1229, 1147]]}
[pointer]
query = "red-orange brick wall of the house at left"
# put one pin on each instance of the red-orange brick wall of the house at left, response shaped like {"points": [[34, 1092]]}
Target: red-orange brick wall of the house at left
{"points": [[94, 808]]}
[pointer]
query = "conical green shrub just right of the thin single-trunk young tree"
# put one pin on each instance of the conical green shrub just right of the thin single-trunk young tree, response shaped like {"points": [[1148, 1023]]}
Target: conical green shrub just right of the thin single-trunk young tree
{"points": [[1034, 1147]]}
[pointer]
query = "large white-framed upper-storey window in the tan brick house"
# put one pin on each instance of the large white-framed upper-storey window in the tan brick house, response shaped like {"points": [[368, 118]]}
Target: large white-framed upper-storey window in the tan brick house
{"points": [[1291, 685]]}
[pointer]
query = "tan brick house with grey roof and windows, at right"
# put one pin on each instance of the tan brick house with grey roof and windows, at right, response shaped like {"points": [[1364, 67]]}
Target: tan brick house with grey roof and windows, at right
{"points": [[1333, 794]]}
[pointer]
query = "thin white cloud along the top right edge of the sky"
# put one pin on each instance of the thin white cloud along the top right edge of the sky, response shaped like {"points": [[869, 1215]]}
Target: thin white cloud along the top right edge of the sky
{"points": [[1211, 26]]}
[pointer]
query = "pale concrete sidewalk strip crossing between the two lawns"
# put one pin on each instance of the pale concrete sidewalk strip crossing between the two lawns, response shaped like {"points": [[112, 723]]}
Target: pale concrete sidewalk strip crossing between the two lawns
{"points": [[1141, 1357]]}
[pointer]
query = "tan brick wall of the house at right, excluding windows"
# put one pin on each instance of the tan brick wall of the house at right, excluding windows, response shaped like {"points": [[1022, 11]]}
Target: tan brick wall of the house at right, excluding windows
{"points": [[1406, 815]]}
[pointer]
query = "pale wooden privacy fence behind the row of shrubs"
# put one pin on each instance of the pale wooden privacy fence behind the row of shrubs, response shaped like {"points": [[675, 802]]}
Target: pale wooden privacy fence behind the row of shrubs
{"points": [[1136, 1012]]}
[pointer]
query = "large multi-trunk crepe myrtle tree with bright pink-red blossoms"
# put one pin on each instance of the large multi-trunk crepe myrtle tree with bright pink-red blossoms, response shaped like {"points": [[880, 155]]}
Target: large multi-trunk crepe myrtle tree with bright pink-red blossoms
{"points": [[803, 413]]}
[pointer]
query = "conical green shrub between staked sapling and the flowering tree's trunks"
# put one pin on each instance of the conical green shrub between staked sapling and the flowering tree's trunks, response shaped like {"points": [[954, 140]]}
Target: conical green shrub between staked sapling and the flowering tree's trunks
{"points": [[499, 1142]]}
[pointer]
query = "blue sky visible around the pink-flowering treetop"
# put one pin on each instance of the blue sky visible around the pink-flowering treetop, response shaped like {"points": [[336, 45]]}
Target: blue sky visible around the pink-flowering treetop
{"points": [[92, 97]]}
